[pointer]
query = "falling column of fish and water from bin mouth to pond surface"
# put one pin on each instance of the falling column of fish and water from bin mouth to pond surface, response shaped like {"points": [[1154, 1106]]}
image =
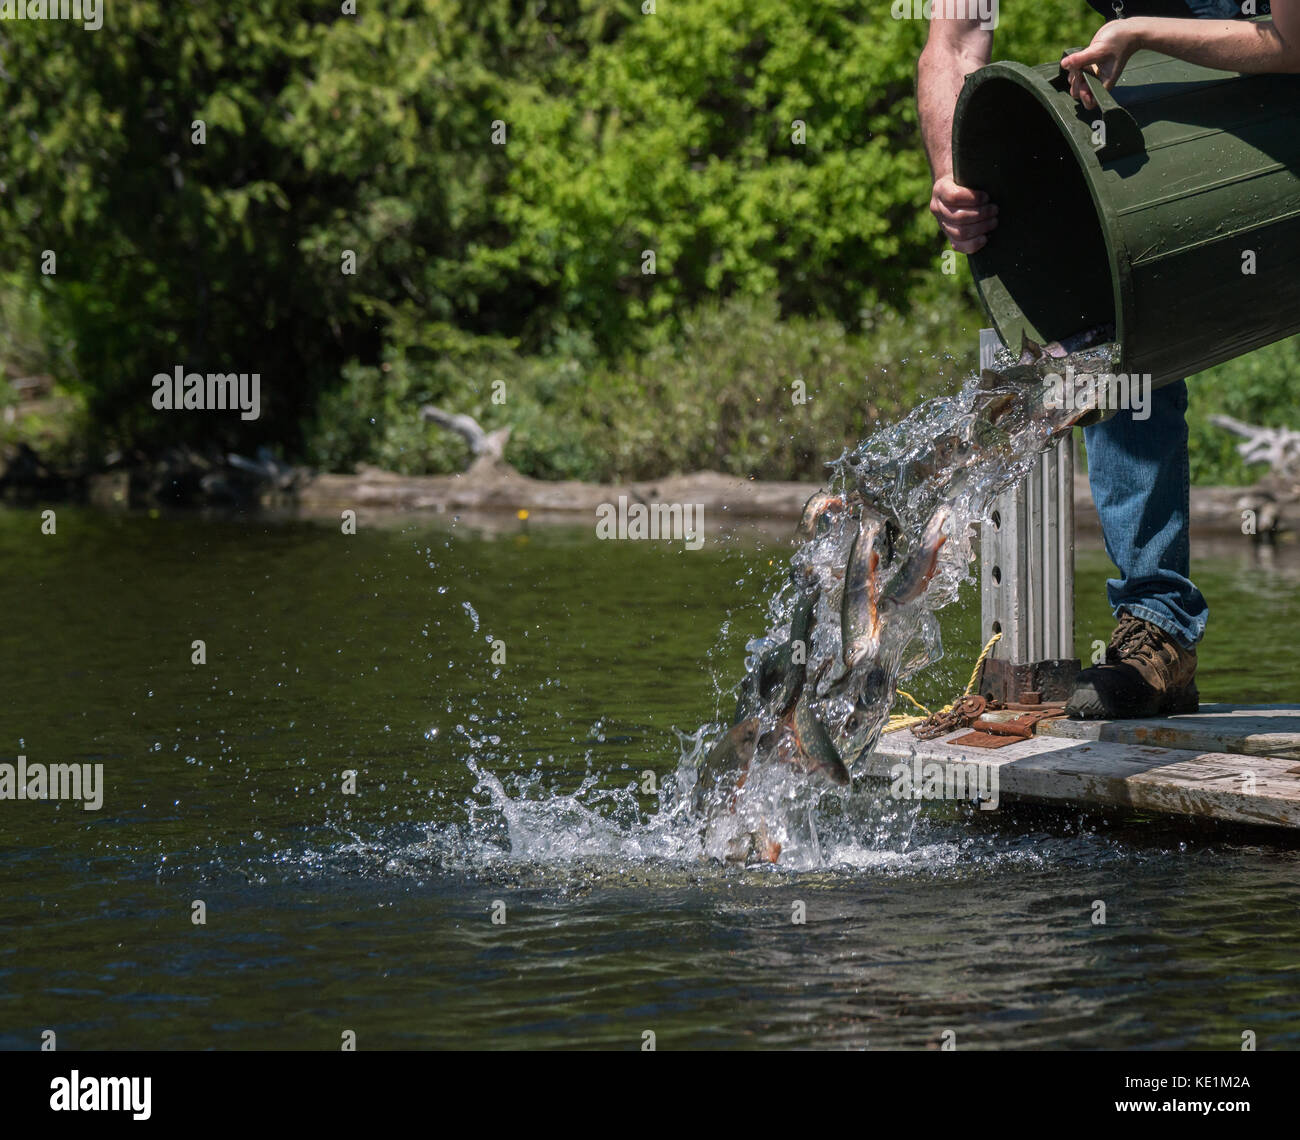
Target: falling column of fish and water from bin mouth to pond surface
{"points": [[820, 692]]}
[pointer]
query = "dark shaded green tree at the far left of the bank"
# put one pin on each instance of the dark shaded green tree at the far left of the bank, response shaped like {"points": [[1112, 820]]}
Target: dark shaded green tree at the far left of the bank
{"points": [[171, 253]]}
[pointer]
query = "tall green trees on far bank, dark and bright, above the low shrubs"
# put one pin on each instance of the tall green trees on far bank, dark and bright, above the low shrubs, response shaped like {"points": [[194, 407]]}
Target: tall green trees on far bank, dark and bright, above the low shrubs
{"points": [[375, 135]]}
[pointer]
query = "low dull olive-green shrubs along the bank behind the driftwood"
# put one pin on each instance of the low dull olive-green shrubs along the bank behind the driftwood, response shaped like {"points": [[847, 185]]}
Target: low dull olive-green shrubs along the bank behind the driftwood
{"points": [[723, 397]]}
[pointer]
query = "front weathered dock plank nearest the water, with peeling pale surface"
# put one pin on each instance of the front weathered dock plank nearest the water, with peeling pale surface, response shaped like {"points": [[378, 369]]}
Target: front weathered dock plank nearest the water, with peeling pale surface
{"points": [[1181, 782]]}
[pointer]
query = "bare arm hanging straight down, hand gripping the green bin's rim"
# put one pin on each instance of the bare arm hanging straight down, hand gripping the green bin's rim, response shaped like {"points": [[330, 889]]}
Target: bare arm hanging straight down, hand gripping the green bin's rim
{"points": [[954, 50]]}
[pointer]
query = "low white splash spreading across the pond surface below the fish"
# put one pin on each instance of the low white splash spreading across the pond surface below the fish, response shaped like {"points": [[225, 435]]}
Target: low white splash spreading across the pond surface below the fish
{"points": [[523, 833]]}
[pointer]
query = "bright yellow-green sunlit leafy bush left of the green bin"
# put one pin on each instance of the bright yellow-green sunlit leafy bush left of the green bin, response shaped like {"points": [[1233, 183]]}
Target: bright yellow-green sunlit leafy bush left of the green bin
{"points": [[679, 140]]}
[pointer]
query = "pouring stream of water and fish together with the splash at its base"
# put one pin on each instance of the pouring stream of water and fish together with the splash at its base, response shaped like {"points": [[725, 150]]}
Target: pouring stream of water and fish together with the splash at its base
{"points": [[886, 548]]}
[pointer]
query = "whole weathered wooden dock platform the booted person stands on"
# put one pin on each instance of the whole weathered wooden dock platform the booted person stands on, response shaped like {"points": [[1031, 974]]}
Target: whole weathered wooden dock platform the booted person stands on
{"points": [[1227, 762]]}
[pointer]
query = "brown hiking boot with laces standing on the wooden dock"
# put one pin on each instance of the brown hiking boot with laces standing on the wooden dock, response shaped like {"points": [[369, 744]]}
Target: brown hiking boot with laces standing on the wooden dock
{"points": [[1146, 674]]}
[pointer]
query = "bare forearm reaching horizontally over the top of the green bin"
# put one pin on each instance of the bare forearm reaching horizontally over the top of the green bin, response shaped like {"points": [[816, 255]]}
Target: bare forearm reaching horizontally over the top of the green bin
{"points": [[1253, 47]]}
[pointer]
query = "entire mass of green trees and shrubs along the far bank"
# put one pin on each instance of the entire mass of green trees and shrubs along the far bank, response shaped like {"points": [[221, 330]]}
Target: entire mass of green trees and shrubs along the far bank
{"points": [[500, 170]]}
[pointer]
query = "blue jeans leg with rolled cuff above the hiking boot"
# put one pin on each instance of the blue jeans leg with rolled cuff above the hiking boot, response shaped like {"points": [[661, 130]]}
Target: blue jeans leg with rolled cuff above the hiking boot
{"points": [[1139, 476]]}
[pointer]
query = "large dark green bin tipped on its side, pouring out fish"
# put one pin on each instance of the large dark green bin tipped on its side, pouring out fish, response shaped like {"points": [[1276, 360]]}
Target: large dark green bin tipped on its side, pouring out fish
{"points": [[1149, 224]]}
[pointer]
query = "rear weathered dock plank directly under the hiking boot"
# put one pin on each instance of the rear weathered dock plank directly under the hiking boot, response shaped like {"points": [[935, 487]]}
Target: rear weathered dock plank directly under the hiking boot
{"points": [[1253, 730]]}
